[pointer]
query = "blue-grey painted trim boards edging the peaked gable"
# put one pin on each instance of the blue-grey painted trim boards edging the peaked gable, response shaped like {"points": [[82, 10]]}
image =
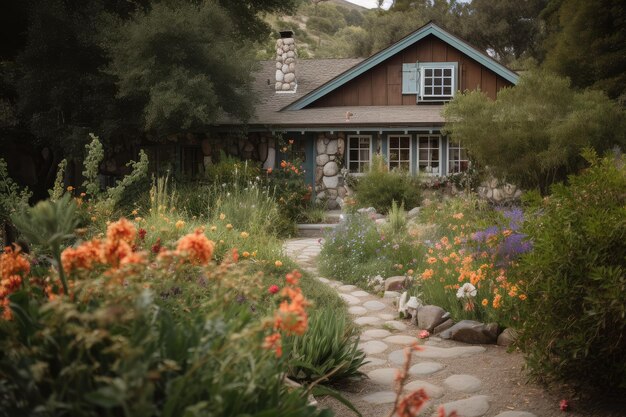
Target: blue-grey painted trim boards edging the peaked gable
{"points": [[428, 29]]}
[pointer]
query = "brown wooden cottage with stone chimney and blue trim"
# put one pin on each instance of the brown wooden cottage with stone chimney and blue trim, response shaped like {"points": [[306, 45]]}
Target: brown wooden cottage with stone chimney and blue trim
{"points": [[339, 112]]}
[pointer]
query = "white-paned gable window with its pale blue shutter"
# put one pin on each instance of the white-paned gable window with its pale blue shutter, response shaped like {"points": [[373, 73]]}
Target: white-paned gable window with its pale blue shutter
{"points": [[430, 81]]}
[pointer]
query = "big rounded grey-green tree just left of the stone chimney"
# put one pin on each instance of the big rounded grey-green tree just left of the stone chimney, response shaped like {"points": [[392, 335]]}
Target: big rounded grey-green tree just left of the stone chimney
{"points": [[184, 64]]}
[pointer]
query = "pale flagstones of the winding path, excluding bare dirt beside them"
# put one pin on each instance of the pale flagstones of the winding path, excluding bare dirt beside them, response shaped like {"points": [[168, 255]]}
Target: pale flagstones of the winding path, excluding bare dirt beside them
{"points": [[438, 367]]}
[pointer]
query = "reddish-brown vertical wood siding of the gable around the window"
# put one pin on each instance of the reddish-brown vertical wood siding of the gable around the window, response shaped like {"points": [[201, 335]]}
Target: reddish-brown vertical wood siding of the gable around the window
{"points": [[382, 85]]}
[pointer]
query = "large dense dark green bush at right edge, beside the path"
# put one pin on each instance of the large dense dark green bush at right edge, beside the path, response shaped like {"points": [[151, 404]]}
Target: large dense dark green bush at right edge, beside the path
{"points": [[576, 281]]}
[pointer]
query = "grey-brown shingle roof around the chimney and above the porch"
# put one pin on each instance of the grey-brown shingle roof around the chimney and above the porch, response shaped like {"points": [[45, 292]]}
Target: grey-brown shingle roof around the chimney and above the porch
{"points": [[313, 73]]}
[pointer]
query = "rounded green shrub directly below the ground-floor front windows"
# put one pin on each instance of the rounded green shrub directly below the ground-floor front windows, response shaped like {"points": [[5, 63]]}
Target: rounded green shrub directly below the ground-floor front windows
{"points": [[379, 187]]}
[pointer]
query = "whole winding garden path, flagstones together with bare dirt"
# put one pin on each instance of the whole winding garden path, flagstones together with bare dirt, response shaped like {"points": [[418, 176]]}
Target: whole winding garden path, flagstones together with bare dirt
{"points": [[475, 380]]}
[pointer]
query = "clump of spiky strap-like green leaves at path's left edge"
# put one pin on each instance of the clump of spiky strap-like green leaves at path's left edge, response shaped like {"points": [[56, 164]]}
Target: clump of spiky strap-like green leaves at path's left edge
{"points": [[328, 351]]}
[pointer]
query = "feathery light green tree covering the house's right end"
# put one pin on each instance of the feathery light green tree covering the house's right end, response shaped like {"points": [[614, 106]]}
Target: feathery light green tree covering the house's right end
{"points": [[533, 133]]}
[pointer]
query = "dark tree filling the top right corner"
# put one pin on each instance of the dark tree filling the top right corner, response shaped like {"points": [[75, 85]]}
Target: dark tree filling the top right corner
{"points": [[587, 43]]}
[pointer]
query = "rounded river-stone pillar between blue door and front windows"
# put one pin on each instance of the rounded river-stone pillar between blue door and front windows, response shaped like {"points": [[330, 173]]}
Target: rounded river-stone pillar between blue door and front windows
{"points": [[329, 182]]}
